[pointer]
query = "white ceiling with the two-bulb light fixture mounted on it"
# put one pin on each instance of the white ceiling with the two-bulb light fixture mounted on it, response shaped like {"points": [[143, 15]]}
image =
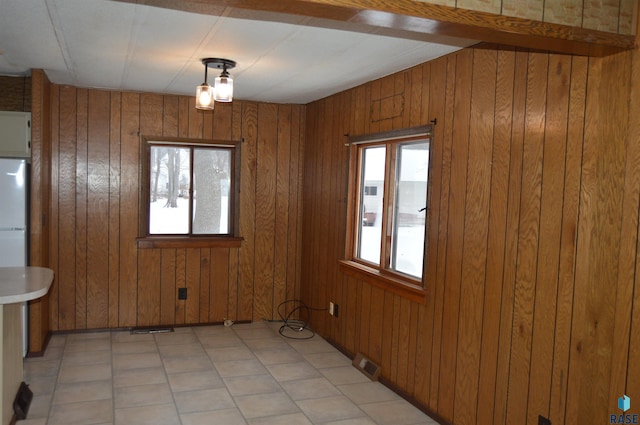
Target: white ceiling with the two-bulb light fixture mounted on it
{"points": [[131, 47]]}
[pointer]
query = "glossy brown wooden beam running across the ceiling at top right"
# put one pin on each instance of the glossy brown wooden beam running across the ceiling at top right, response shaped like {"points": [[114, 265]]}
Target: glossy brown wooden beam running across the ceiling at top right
{"points": [[413, 18]]}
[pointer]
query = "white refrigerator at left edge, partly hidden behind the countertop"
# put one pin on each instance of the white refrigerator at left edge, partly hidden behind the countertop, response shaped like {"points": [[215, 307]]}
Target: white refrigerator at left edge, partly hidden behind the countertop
{"points": [[14, 190]]}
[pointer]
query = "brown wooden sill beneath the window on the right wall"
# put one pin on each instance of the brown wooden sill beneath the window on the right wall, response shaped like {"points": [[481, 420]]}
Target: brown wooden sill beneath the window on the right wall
{"points": [[385, 281]]}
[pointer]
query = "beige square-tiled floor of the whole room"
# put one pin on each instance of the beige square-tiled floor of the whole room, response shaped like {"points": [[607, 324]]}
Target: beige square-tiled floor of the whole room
{"points": [[243, 374]]}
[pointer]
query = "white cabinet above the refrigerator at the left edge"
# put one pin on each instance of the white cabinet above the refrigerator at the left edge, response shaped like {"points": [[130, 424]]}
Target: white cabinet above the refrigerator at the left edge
{"points": [[15, 134]]}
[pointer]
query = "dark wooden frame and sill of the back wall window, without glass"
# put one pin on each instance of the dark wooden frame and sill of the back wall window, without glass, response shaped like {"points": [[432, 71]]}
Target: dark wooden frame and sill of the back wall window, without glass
{"points": [[228, 240]]}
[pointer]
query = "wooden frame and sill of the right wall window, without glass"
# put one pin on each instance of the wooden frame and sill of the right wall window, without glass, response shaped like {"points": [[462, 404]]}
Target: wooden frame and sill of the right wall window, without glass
{"points": [[381, 275]]}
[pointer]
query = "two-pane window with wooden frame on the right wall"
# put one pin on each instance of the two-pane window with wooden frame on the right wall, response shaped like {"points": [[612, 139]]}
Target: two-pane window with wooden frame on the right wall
{"points": [[389, 187]]}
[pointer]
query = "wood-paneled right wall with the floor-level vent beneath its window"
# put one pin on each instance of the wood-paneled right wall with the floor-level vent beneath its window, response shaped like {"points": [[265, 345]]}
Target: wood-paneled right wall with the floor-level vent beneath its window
{"points": [[533, 299]]}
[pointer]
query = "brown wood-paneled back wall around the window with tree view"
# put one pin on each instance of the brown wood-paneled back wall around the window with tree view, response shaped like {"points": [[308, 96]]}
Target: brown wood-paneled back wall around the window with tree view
{"points": [[103, 280]]}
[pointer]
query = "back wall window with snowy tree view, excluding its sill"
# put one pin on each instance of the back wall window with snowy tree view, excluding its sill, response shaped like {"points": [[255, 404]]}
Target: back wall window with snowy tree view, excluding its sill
{"points": [[189, 189]]}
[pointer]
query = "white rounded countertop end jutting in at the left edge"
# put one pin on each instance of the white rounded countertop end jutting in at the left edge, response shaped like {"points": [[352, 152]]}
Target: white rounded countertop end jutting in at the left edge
{"points": [[19, 284]]}
